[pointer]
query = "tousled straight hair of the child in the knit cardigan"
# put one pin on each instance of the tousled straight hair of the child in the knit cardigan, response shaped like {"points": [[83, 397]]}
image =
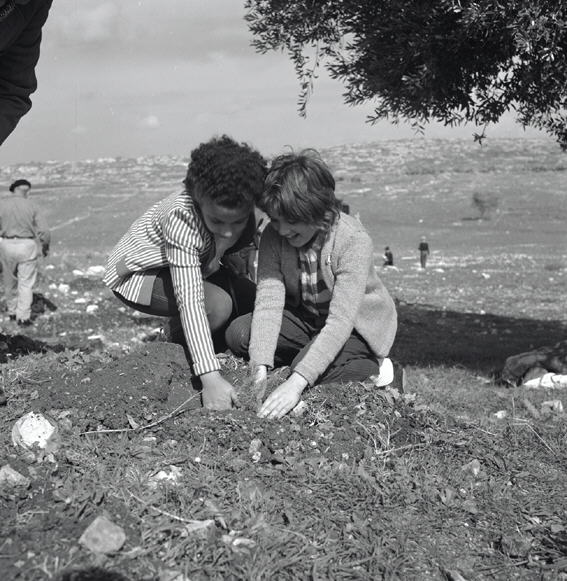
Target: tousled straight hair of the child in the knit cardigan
{"points": [[299, 187]]}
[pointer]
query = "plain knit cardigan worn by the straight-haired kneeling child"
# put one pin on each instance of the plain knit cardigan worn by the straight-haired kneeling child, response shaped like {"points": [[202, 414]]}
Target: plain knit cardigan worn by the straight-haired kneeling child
{"points": [[359, 300]]}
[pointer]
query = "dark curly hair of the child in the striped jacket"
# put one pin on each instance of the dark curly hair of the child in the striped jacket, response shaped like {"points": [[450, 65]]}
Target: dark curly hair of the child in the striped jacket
{"points": [[228, 173]]}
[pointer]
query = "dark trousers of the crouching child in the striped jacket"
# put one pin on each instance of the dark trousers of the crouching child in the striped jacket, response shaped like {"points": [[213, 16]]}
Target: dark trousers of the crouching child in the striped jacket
{"points": [[226, 297]]}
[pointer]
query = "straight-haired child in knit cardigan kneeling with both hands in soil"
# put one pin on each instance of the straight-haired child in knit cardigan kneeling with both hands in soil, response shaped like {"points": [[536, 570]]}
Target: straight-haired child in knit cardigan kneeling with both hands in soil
{"points": [[320, 306]]}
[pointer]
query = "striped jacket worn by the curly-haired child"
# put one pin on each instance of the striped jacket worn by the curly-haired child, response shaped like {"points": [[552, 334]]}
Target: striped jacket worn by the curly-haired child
{"points": [[171, 234]]}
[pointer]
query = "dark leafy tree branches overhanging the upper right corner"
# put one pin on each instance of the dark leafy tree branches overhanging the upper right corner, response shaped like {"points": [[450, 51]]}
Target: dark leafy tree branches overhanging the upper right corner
{"points": [[454, 61]]}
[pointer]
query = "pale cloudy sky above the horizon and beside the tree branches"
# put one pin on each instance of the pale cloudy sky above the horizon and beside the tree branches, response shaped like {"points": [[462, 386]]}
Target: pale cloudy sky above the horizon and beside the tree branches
{"points": [[156, 77]]}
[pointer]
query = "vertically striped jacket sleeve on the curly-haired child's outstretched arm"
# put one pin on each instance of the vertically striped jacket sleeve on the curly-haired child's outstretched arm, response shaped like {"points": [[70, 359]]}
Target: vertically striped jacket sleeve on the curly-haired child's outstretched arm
{"points": [[183, 242]]}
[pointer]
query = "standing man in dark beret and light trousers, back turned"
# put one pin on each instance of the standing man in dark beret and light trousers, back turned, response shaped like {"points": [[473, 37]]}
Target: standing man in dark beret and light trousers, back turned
{"points": [[23, 233]]}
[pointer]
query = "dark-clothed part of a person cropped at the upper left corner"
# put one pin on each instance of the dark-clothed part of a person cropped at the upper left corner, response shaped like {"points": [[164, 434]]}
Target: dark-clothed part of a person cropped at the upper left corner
{"points": [[21, 22]]}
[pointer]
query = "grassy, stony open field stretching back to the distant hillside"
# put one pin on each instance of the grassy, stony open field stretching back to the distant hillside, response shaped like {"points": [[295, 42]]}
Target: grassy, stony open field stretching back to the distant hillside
{"points": [[367, 484]]}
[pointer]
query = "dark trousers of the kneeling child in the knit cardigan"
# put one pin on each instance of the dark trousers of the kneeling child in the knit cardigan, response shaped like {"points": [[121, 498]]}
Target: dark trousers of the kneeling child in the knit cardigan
{"points": [[354, 362]]}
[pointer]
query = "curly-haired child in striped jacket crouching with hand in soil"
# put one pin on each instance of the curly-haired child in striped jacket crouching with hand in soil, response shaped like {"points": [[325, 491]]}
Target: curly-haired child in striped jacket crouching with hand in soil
{"points": [[170, 262]]}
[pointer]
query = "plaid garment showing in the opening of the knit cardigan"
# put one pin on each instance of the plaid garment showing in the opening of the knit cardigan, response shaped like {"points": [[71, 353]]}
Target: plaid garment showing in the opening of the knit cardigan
{"points": [[315, 295]]}
